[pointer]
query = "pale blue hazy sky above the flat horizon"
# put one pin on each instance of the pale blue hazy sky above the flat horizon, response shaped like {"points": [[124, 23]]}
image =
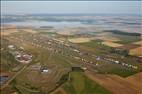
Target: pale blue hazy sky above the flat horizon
{"points": [[35, 7]]}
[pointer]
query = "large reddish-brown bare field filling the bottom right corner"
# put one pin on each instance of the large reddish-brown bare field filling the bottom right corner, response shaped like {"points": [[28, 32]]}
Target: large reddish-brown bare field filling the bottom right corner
{"points": [[117, 84]]}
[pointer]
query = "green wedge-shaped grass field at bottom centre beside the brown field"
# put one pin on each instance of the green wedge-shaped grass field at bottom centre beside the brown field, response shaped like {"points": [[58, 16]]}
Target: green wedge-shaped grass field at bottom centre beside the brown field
{"points": [[80, 84]]}
